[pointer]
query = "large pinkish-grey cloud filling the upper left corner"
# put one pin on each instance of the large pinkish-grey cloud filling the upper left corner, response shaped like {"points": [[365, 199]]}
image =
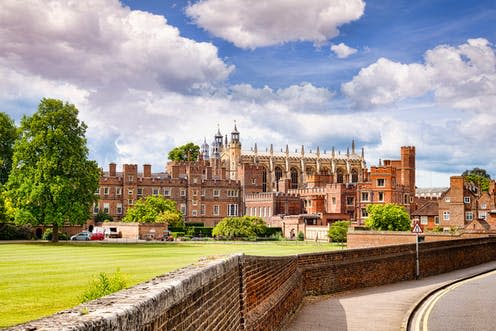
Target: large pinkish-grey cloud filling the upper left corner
{"points": [[101, 43]]}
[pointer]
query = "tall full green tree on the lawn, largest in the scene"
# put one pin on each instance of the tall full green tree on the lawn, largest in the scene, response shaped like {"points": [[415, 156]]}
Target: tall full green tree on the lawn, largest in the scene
{"points": [[52, 182]]}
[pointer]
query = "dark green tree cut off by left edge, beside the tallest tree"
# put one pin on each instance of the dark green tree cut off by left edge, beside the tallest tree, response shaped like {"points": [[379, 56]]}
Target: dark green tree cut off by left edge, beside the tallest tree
{"points": [[8, 135]]}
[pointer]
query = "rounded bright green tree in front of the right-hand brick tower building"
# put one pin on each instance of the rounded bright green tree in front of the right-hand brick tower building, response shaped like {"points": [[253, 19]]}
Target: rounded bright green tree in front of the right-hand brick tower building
{"points": [[390, 217]]}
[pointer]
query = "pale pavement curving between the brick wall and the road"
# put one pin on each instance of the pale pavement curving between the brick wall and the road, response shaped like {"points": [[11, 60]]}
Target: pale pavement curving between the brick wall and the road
{"points": [[378, 308]]}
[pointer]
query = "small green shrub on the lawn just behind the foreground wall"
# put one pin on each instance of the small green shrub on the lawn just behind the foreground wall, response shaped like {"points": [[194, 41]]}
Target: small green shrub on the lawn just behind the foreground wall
{"points": [[104, 285]]}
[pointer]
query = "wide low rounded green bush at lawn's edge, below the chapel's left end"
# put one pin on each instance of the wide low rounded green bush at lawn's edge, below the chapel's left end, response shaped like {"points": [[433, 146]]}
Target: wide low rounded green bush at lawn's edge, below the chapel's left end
{"points": [[239, 227]]}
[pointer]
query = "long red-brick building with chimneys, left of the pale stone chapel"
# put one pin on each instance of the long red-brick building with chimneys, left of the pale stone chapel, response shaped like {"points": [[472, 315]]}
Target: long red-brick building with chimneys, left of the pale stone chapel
{"points": [[201, 190]]}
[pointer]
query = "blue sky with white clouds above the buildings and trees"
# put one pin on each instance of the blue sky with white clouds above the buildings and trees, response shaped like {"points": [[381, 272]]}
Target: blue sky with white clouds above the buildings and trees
{"points": [[150, 75]]}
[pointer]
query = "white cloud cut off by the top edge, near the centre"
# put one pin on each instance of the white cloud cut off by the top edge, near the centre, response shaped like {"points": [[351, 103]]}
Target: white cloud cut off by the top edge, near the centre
{"points": [[254, 23]]}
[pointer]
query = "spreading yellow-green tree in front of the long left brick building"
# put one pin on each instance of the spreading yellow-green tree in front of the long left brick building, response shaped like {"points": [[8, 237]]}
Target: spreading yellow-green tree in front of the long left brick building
{"points": [[154, 209]]}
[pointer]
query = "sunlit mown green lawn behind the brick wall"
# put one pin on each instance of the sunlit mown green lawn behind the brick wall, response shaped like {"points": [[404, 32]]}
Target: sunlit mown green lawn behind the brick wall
{"points": [[38, 279]]}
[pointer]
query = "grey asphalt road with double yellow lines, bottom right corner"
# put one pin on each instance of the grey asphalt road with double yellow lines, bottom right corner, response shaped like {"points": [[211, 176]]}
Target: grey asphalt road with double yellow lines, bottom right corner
{"points": [[465, 305]]}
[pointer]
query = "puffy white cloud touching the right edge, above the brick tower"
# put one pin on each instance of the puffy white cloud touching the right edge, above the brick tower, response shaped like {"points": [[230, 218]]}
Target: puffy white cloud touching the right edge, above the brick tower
{"points": [[462, 77]]}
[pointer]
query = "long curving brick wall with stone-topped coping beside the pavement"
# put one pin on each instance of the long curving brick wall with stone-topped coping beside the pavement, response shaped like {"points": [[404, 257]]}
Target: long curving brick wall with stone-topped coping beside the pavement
{"points": [[260, 293]]}
